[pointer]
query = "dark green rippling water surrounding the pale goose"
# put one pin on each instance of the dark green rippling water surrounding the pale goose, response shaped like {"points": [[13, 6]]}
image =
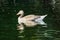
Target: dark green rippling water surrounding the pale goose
{"points": [[8, 20]]}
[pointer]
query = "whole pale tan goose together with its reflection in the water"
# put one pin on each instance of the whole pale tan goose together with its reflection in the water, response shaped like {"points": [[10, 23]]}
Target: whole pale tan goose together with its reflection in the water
{"points": [[29, 20]]}
